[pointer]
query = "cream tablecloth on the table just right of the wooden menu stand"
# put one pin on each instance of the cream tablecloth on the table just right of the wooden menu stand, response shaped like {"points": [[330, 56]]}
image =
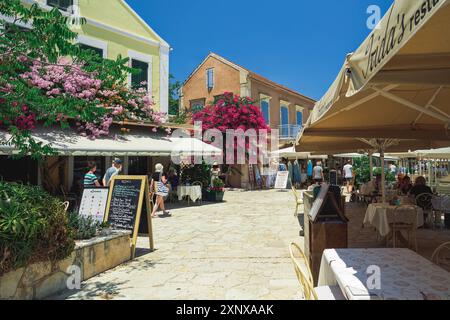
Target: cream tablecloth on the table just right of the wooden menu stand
{"points": [[381, 215]]}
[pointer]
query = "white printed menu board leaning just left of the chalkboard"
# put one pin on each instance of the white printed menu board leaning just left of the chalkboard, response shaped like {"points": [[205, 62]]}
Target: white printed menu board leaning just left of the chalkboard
{"points": [[93, 203]]}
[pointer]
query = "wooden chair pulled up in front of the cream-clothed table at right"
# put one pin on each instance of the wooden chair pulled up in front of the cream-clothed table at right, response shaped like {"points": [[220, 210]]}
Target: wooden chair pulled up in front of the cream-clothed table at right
{"points": [[408, 225]]}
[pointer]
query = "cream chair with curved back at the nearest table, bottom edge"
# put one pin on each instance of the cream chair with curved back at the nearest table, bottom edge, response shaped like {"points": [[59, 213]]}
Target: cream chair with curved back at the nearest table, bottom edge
{"points": [[306, 279]]}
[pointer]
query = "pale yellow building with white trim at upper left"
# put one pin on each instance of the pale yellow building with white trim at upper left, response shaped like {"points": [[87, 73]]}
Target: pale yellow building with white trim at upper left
{"points": [[113, 28]]}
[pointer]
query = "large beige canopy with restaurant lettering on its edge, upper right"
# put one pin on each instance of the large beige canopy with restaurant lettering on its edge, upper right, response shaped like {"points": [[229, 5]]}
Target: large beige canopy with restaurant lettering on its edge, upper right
{"points": [[396, 85]]}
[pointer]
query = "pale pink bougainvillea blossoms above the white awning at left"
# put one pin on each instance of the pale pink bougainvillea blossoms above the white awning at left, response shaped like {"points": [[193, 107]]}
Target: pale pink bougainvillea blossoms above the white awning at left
{"points": [[67, 79]]}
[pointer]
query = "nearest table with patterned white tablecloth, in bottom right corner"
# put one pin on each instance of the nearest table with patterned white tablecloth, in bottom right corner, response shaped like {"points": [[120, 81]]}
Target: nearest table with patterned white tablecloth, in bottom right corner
{"points": [[403, 275]]}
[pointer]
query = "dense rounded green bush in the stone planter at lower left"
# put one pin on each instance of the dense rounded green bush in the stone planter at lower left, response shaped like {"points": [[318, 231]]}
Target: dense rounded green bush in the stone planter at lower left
{"points": [[34, 227]]}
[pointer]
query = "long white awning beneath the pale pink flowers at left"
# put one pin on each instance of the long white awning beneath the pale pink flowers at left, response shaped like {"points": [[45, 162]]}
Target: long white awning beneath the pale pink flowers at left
{"points": [[138, 143]]}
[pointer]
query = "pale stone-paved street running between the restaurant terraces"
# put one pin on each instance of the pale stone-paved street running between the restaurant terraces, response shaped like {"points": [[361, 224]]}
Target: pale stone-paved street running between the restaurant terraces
{"points": [[233, 250]]}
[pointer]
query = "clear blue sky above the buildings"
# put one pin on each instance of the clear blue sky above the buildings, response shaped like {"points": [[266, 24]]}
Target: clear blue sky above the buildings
{"points": [[298, 43]]}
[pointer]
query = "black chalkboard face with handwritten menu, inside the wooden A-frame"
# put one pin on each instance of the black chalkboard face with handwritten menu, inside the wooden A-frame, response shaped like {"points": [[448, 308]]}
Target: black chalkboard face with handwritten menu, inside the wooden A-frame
{"points": [[123, 208]]}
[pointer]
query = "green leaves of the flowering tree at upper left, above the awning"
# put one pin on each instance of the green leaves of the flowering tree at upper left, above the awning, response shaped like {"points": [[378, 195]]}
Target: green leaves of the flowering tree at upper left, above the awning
{"points": [[48, 41]]}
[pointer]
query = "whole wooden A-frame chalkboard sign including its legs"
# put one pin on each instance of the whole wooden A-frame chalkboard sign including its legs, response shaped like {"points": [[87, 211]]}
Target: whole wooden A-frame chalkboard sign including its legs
{"points": [[127, 197]]}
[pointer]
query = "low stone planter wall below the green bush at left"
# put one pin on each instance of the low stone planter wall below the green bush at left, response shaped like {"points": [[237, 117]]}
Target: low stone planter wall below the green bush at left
{"points": [[44, 279]]}
